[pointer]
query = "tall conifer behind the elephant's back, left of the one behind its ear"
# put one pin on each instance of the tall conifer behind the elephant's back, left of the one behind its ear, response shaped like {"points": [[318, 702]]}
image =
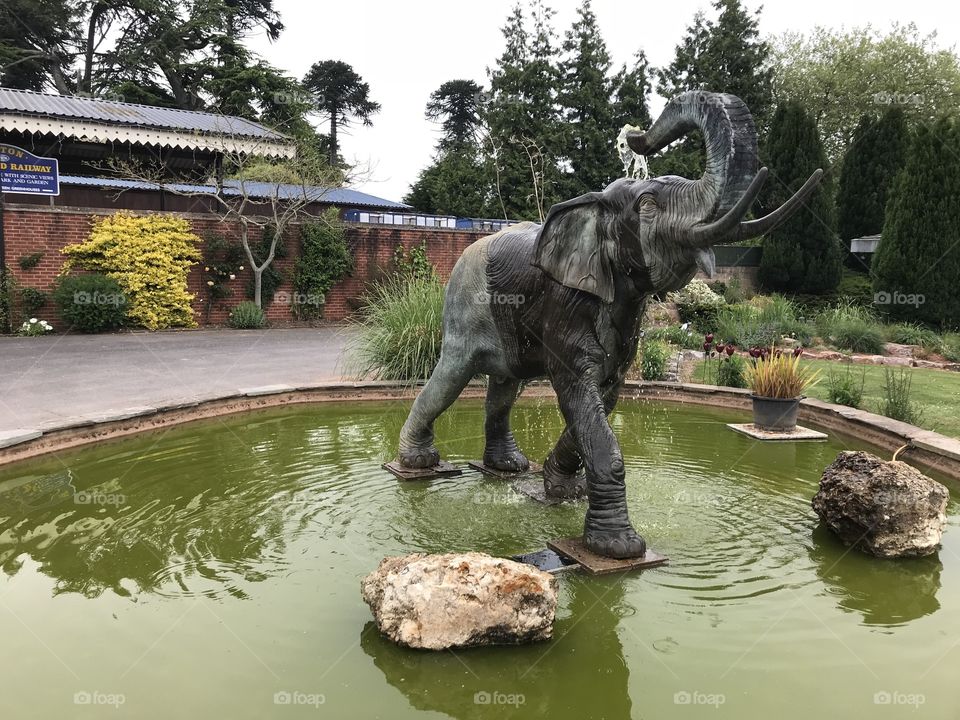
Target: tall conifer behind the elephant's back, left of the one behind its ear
{"points": [[523, 126]]}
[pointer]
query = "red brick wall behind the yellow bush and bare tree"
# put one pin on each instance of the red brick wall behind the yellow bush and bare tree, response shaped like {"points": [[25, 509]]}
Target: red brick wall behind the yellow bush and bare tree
{"points": [[32, 228]]}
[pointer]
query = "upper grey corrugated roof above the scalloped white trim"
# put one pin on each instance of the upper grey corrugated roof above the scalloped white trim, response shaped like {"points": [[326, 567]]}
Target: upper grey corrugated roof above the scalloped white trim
{"points": [[28, 102]]}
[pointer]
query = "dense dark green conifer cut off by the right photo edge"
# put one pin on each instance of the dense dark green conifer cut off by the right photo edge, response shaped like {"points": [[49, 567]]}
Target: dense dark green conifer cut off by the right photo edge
{"points": [[919, 252]]}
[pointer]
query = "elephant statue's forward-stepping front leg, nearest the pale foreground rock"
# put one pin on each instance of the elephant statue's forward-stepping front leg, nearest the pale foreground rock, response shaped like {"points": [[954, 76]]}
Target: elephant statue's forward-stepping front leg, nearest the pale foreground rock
{"points": [[607, 529]]}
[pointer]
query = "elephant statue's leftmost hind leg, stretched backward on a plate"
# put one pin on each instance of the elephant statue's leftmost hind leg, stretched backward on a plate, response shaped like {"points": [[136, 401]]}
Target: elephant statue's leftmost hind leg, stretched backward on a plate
{"points": [[444, 386]]}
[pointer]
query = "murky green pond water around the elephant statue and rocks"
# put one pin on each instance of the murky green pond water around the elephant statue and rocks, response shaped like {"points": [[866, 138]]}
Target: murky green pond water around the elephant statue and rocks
{"points": [[213, 571]]}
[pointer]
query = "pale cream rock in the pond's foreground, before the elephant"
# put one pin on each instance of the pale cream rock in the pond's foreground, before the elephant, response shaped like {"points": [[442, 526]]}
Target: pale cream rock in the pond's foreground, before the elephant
{"points": [[459, 600]]}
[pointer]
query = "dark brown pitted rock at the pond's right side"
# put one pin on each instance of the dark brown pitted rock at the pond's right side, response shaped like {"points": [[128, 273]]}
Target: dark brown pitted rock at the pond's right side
{"points": [[888, 509]]}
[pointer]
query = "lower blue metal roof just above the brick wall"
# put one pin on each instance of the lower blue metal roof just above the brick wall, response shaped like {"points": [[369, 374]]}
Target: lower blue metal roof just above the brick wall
{"points": [[344, 197]]}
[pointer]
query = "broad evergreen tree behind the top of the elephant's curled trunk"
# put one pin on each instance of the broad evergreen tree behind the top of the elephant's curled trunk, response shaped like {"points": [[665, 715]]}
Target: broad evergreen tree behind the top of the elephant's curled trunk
{"points": [[722, 55]]}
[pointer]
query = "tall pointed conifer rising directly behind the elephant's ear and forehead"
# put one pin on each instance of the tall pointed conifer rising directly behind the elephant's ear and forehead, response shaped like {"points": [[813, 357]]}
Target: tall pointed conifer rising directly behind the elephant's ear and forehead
{"points": [[585, 100]]}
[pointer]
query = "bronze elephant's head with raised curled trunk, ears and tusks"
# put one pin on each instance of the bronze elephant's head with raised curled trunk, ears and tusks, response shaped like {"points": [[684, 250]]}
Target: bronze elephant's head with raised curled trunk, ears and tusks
{"points": [[657, 232]]}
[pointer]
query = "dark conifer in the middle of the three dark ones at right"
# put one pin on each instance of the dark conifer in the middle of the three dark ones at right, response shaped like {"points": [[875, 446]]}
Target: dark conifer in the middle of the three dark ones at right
{"points": [[869, 167]]}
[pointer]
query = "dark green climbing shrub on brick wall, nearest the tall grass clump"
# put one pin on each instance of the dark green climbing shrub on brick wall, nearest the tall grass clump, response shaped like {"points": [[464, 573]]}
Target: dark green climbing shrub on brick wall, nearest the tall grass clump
{"points": [[324, 260]]}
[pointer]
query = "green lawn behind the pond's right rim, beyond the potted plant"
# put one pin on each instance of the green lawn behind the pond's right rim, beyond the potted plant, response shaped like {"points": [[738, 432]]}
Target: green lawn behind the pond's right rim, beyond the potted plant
{"points": [[936, 391]]}
